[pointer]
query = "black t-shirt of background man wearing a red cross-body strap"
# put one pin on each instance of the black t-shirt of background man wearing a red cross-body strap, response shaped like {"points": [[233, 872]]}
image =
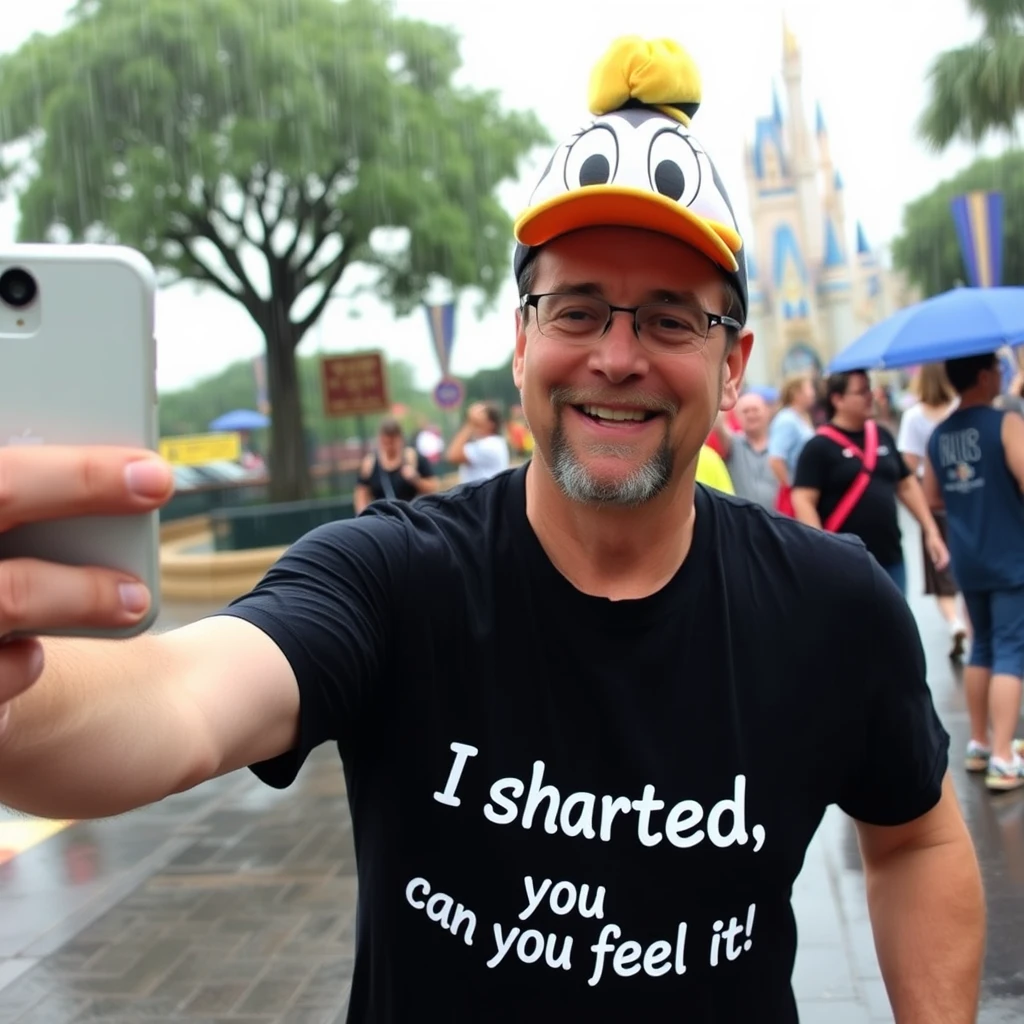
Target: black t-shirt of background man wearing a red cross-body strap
{"points": [[825, 467]]}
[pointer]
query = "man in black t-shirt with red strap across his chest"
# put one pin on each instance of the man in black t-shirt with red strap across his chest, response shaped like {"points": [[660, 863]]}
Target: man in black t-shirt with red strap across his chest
{"points": [[851, 475]]}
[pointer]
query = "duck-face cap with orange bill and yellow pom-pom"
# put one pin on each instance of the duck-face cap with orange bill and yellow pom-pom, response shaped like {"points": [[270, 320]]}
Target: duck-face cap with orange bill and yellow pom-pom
{"points": [[638, 164]]}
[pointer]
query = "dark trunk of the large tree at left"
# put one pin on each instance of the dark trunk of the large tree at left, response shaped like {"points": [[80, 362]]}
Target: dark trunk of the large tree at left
{"points": [[289, 466]]}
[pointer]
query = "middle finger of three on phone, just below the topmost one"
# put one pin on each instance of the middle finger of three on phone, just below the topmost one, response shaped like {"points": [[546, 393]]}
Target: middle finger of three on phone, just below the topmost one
{"points": [[38, 596]]}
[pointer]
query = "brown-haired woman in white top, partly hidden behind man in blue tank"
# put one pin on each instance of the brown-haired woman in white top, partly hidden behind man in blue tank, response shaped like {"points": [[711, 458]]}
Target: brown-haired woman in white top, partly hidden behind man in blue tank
{"points": [[936, 400]]}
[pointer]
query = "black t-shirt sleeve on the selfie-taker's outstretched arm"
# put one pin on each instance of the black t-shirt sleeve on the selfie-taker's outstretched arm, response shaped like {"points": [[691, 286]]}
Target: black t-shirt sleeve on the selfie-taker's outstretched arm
{"points": [[331, 605]]}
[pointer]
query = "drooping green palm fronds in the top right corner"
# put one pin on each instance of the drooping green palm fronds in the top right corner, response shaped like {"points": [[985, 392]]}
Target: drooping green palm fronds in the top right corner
{"points": [[979, 89]]}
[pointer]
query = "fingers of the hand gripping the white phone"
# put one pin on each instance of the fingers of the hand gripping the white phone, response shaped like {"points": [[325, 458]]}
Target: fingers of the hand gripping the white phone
{"points": [[51, 483]]}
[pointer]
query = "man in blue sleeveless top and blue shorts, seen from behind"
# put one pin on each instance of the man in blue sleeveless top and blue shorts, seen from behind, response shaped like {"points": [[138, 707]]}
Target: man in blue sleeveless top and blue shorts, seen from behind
{"points": [[975, 468]]}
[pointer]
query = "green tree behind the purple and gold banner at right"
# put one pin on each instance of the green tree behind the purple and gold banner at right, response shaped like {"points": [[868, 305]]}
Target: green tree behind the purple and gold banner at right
{"points": [[928, 249]]}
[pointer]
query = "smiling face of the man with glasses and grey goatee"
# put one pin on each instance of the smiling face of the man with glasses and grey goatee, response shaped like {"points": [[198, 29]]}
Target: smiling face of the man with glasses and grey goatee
{"points": [[615, 421]]}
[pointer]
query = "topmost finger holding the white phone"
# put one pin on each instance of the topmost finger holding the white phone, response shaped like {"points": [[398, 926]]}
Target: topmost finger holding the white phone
{"points": [[55, 483]]}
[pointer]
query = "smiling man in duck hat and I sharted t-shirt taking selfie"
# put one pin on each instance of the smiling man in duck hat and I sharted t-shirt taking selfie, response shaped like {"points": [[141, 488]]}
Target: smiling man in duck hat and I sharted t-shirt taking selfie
{"points": [[595, 816]]}
